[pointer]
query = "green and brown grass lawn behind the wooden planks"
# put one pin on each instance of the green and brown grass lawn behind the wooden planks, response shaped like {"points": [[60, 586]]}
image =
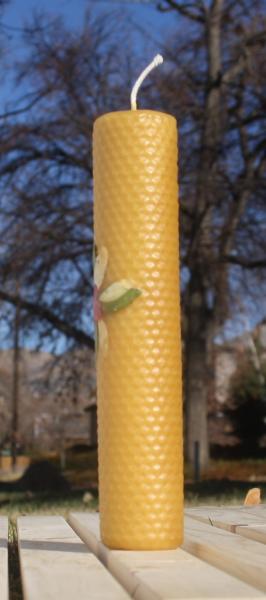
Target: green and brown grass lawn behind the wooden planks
{"points": [[225, 483]]}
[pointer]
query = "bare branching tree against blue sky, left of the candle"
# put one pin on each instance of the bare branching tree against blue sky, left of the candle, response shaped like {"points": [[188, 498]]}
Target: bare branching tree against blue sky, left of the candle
{"points": [[46, 175]]}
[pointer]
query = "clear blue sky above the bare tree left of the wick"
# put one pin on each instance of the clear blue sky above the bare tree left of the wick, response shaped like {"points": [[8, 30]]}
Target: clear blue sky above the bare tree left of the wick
{"points": [[139, 16]]}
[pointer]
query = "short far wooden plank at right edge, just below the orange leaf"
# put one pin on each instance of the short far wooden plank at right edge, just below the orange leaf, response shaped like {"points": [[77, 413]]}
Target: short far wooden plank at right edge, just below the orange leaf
{"points": [[227, 518]]}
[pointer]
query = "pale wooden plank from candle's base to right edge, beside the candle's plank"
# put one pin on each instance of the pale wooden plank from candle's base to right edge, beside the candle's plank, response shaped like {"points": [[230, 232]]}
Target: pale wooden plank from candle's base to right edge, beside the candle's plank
{"points": [[230, 552]]}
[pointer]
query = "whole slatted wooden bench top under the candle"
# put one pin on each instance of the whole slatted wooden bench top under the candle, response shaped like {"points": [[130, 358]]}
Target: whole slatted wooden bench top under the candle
{"points": [[223, 556]]}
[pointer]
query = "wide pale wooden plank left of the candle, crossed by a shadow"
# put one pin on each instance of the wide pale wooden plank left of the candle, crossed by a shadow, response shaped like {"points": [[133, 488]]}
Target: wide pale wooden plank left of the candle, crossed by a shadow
{"points": [[55, 564]]}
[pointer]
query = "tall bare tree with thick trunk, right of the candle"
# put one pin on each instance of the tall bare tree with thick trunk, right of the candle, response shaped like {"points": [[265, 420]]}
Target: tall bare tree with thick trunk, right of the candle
{"points": [[217, 92]]}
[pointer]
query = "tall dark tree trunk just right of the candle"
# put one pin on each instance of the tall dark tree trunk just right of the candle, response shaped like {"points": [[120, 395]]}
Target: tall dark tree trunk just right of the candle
{"points": [[199, 316]]}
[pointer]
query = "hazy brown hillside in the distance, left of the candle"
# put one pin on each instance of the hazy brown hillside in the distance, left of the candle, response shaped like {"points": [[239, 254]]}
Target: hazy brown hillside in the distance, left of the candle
{"points": [[52, 390]]}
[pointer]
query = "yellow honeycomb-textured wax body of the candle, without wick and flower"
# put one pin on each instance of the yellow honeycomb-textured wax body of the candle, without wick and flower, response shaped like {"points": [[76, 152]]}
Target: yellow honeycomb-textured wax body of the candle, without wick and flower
{"points": [[139, 372]]}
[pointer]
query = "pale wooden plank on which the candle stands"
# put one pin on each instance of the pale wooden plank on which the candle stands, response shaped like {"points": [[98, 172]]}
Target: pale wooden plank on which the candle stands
{"points": [[170, 574]]}
